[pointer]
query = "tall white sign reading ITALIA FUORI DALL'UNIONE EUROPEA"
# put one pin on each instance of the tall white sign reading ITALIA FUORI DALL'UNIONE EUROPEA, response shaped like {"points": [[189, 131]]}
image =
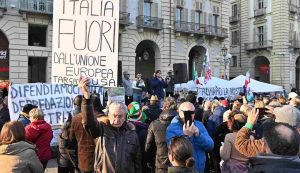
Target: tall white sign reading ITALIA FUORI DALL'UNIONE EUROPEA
{"points": [[85, 41]]}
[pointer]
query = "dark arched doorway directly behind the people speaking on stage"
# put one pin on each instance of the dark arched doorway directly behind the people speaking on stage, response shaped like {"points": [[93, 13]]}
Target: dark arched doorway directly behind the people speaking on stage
{"points": [[146, 53]]}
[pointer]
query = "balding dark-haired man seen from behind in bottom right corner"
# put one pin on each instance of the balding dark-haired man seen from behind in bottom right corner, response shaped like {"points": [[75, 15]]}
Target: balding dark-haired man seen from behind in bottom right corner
{"points": [[281, 142]]}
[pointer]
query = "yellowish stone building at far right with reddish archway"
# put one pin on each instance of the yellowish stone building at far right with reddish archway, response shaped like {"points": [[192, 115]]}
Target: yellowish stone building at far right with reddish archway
{"points": [[264, 38]]}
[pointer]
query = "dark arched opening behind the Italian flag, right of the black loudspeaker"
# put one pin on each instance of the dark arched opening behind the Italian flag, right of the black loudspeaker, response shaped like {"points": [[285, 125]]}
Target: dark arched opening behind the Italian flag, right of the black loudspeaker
{"points": [[196, 58]]}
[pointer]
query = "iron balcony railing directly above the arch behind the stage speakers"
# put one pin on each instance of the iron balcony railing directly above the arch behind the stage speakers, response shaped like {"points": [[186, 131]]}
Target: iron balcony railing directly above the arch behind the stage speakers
{"points": [[149, 22]]}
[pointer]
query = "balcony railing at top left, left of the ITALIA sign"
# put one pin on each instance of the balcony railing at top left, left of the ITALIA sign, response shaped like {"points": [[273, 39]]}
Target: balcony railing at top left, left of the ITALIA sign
{"points": [[36, 6]]}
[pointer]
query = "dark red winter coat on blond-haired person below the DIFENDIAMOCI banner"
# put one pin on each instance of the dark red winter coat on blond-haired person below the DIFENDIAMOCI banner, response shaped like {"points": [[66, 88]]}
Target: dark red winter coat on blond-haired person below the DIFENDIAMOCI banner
{"points": [[40, 133]]}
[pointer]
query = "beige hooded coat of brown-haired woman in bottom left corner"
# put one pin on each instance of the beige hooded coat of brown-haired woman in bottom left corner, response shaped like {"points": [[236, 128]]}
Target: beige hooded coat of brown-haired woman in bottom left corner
{"points": [[19, 157]]}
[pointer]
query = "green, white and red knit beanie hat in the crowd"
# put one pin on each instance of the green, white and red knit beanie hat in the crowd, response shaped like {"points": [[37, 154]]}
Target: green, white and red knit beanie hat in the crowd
{"points": [[135, 113]]}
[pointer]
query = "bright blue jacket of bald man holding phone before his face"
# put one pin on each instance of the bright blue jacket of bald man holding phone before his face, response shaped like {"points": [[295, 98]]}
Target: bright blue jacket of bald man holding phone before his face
{"points": [[200, 143]]}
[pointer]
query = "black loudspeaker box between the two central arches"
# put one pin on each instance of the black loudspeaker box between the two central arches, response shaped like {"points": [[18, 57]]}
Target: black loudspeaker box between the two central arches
{"points": [[180, 72]]}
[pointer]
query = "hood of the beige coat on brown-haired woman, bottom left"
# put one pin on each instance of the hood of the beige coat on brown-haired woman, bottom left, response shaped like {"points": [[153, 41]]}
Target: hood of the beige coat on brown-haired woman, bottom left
{"points": [[15, 148]]}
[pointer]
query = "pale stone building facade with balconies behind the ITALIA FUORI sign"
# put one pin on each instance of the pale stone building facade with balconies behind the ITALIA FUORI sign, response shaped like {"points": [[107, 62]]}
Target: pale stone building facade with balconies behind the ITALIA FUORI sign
{"points": [[154, 35]]}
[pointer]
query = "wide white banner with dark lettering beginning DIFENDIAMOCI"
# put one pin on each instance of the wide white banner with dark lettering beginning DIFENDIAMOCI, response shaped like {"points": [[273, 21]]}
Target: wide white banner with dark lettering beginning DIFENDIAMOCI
{"points": [[56, 100]]}
